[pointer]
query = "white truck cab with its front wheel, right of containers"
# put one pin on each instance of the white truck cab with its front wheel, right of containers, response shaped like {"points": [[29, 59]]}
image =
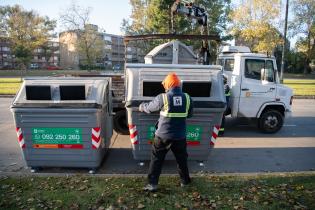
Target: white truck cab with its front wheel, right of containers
{"points": [[255, 88]]}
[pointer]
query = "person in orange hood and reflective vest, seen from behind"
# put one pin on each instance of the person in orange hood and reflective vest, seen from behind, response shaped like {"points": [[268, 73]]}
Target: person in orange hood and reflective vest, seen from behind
{"points": [[174, 106]]}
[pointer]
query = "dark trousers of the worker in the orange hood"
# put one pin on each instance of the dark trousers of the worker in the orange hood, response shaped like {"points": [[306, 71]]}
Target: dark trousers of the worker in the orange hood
{"points": [[160, 148]]}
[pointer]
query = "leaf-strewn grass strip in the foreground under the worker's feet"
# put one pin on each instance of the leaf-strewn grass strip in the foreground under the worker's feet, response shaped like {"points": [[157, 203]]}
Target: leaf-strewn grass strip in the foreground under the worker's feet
{"points": [[207, 192]]}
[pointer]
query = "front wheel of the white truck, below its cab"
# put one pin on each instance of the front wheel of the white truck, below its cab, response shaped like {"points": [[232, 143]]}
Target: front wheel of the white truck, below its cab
{"points": [[270, 121]]}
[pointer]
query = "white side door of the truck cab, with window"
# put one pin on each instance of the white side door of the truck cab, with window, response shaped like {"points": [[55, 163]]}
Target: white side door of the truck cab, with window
{"points": [[258, 86]]}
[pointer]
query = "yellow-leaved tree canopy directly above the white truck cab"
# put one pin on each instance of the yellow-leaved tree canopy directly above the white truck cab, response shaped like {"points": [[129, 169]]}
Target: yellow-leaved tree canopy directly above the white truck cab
{"points": [[254, 21]]}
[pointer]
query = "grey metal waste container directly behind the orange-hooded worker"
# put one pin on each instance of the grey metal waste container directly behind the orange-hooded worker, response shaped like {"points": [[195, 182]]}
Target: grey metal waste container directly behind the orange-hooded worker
{"points": [[203, 83]]}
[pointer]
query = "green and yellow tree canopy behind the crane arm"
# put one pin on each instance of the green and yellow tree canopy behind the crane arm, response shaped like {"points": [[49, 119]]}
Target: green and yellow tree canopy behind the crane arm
{"points": [[154, 16]]}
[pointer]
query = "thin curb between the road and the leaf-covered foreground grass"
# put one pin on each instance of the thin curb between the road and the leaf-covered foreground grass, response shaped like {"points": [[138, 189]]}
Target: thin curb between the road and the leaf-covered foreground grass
{"points": [[20, 174]]}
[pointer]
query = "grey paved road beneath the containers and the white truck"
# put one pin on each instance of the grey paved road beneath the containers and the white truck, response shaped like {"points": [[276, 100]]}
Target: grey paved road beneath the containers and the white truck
{"points": [[243, 149]]}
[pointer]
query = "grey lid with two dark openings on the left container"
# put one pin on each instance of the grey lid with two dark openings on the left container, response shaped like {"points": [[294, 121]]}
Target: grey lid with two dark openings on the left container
{"points": [[68, 92]]}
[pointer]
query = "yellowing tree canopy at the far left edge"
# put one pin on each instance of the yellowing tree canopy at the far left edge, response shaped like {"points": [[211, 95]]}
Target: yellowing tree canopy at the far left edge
{"points": [[26, 31]]}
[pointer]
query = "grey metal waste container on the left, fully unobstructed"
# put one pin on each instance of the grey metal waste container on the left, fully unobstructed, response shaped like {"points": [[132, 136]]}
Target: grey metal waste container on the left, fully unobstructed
{"points": [[64, 122]]}
